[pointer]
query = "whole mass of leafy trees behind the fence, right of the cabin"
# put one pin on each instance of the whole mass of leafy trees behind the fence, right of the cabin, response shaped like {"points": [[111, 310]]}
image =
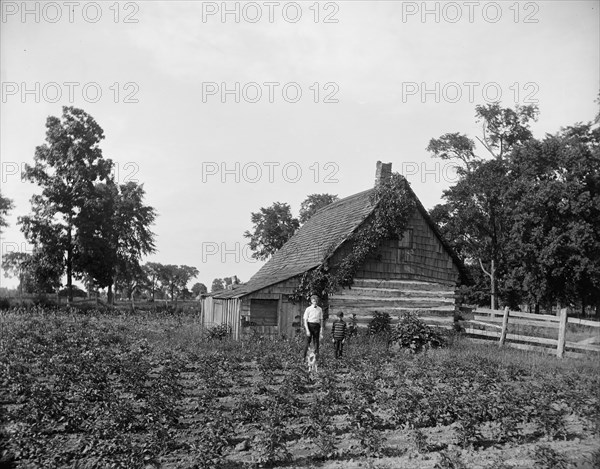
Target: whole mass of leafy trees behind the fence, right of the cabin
{"points": [[529, 217]]}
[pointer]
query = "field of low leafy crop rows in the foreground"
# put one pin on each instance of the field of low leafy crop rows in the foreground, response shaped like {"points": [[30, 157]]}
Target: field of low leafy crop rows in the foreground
{"points": [[96, 390]]}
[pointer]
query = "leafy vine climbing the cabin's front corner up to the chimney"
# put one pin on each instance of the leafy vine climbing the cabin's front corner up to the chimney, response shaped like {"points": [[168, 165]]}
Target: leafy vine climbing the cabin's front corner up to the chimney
{"points": [[393, 208]]}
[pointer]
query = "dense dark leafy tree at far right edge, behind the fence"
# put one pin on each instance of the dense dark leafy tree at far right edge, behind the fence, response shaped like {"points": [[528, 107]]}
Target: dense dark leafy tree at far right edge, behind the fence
{"points": [[554, 200]]}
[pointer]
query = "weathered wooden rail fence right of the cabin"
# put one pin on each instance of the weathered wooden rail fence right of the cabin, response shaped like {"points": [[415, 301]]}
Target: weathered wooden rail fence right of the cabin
{"points": [[560, 334]]}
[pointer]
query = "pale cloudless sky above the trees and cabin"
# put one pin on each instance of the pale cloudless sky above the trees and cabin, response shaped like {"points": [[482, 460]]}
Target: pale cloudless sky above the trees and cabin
{"points": [[221, 108]]}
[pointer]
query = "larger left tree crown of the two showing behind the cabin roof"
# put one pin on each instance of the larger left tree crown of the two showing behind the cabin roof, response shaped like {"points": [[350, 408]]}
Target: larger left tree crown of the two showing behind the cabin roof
{"points": [[273, 226]]}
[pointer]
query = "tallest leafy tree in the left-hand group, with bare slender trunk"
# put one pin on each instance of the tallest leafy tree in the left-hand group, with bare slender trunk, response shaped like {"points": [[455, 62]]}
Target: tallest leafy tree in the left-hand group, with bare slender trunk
{"points": [[66, 168]]}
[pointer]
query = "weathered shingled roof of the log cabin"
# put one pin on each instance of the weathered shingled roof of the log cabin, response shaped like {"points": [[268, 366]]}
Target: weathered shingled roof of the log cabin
{"points": [[322, 234]]}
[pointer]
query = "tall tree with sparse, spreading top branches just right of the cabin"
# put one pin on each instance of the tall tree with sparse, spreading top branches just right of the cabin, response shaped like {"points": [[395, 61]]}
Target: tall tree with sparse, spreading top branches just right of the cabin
{"points": [[473, 215]]}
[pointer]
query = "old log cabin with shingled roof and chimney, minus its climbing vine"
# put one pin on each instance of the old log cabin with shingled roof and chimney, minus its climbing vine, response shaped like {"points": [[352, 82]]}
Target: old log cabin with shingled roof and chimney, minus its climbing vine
{"points": [[419, 272]]}
